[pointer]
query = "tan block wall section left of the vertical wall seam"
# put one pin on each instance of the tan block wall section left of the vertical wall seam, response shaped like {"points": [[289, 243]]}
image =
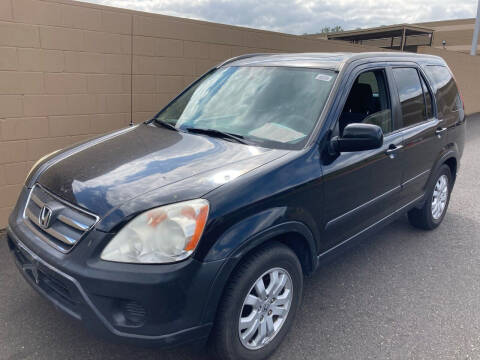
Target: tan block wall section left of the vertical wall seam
{"points": [[65, 75]]}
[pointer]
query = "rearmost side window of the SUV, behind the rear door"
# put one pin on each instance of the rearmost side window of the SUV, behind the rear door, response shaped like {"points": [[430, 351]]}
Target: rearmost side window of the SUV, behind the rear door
{"points": [[448, 98]]}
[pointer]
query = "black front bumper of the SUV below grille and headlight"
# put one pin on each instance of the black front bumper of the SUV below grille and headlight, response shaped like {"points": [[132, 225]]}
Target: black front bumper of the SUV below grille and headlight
{"points": [[158, 305]]}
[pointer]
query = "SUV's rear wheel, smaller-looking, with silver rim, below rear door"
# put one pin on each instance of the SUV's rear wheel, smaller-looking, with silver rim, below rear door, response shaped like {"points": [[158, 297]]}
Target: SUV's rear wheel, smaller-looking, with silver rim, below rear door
{"points": [[436, 203]]}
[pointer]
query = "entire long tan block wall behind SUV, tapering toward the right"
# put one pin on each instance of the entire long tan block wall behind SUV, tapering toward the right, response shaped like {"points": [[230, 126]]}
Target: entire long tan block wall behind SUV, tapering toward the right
{"points": [[71, 70]]}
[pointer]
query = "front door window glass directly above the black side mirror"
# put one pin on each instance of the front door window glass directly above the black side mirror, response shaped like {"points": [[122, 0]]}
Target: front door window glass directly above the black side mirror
{"points": [[368, 102]]}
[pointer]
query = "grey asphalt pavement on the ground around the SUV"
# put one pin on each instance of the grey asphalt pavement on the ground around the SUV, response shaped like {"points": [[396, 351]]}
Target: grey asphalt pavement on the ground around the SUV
{"points": [[402, 294]]}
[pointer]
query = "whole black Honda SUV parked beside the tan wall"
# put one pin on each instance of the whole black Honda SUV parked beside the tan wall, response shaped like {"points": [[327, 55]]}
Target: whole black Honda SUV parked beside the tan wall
{"points": [[201, 223]]}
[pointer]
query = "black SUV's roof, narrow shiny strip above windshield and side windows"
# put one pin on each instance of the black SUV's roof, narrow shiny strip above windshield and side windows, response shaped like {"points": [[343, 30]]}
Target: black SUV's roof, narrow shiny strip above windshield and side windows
{"points": [[333, 61]]}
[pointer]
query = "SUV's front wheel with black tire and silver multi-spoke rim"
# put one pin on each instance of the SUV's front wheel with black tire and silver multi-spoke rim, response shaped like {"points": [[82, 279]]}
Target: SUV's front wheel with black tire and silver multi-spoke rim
{"points": [[259, 305]]}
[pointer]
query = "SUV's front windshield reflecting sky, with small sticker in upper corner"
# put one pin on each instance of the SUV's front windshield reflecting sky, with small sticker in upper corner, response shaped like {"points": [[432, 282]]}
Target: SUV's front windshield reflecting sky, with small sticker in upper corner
{"points": [[269, 106]]}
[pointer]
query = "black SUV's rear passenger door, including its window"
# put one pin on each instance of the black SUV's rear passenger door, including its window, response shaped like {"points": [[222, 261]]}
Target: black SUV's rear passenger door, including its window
{"points": [[423, 133]]}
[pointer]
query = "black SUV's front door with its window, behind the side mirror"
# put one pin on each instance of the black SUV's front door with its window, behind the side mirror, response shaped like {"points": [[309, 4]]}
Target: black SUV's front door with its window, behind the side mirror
{"points": [[363, 187]]}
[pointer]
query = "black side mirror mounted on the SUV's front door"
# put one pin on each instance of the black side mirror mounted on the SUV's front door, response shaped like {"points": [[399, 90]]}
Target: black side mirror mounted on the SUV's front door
{"points": [[357, 137]]}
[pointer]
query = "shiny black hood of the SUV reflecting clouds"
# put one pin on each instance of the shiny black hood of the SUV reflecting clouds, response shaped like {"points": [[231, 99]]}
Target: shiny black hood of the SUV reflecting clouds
{"points": [[103, 174]]}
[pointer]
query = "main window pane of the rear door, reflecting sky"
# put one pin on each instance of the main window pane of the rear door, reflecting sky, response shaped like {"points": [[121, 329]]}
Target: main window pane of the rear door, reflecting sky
{"points": [[411, 95]]}
